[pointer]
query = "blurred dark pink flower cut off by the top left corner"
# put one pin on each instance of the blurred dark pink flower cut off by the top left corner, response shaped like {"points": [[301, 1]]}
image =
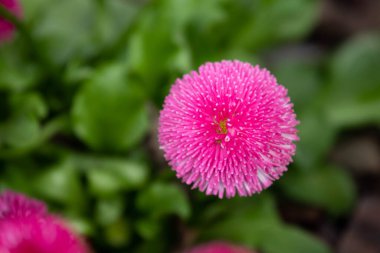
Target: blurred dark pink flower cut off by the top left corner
{"points": [[6, 27]]}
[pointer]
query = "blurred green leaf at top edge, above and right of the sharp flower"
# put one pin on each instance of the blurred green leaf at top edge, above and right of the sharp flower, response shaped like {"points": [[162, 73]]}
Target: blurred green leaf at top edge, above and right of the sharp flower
{"points": [[276, 21]]}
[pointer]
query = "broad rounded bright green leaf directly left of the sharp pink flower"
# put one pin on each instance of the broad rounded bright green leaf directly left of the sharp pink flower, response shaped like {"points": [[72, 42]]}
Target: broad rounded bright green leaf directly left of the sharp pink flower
{"points": [[109, 112]]}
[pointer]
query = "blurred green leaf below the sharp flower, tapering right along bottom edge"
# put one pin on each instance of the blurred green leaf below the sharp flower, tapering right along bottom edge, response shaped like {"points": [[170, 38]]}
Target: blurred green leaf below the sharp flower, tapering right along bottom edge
{"points": [[257, 225]]}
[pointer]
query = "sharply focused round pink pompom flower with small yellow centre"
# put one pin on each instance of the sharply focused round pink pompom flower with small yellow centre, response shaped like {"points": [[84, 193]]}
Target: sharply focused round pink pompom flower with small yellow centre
{"points": [[228, 128]]}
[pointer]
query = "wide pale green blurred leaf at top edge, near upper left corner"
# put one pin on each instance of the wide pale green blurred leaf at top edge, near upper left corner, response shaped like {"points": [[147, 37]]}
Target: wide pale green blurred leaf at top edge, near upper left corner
{"points": [[85, 27]]}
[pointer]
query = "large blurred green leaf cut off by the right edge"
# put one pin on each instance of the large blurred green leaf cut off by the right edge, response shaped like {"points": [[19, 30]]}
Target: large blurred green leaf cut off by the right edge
{"points": [[354, 96]]}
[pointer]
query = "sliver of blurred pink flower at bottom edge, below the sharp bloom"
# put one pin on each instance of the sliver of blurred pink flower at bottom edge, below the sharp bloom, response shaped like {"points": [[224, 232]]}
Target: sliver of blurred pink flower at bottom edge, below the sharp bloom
{"points": [[218, 247]]}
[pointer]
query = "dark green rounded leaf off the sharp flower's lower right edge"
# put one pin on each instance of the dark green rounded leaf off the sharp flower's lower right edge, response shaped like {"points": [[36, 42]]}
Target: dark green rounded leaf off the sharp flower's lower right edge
{"points": [[329, 188]]}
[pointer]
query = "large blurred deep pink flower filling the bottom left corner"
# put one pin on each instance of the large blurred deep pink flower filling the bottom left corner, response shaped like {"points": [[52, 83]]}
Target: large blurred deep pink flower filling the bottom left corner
{"points": [[26, 227]]}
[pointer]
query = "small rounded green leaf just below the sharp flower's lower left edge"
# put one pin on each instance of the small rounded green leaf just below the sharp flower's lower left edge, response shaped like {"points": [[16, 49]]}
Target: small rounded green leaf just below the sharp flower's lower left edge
{"points": [[161, 199]]}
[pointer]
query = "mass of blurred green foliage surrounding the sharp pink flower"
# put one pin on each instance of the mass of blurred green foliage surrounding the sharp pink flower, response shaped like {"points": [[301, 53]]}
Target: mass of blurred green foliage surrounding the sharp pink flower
{"points": [[81, 85]]}
